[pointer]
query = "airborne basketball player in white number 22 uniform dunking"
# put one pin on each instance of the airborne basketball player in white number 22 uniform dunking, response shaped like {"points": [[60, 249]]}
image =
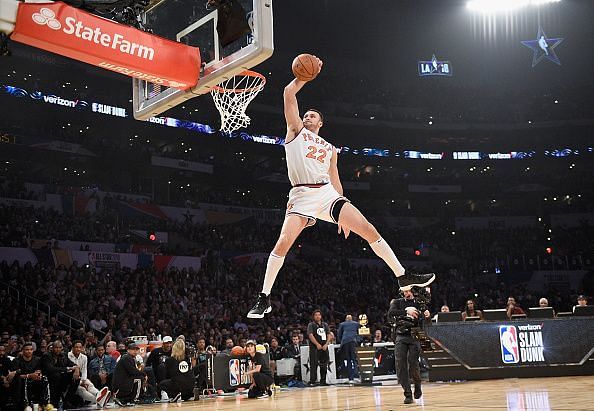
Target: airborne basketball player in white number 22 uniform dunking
{"points": [[317, 194]]}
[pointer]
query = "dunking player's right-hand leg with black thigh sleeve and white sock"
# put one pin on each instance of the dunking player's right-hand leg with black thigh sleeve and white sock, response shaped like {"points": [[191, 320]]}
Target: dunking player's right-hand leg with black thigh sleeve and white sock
{"points": [[350, 218]]}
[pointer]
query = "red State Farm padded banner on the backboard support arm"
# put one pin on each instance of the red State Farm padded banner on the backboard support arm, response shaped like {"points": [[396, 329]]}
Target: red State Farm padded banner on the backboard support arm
{"points": [[73, 33]]}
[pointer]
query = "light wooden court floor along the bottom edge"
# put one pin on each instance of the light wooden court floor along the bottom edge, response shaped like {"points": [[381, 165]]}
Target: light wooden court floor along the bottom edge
{"points": [[538, 394]]}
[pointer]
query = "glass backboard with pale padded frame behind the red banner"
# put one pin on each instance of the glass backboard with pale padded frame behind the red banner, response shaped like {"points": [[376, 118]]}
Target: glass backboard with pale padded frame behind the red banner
{"points": [[233, 36]]}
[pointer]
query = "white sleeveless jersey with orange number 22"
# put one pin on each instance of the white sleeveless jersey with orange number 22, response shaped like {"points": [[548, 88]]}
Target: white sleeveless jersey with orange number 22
{"points": [[308, 158]]}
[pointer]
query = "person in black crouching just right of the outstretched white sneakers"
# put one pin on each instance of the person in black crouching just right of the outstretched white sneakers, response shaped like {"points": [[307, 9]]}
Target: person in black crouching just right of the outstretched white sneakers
{"points": [[127, 377]]}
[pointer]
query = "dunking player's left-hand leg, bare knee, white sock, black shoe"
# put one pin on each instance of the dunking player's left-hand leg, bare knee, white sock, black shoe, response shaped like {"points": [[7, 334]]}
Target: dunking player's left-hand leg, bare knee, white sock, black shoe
{"points": [[292, 227]]}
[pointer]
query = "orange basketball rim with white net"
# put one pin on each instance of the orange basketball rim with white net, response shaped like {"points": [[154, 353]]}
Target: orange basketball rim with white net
{"points": [[232, 96]]}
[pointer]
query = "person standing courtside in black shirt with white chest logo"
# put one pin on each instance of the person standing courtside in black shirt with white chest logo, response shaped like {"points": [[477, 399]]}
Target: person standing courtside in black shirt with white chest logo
{"points": [[317, 332]]}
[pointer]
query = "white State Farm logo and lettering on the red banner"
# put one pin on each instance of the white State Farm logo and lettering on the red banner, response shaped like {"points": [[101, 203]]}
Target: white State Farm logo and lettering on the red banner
{"points": [[94, 35]]}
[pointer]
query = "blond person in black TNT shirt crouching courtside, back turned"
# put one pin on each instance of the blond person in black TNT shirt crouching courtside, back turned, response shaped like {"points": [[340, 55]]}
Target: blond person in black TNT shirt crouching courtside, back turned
{"points": [[179, 375]]}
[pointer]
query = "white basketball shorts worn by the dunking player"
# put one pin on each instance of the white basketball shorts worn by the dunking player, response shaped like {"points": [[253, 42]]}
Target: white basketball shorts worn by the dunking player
{"points": [[314, 203]]}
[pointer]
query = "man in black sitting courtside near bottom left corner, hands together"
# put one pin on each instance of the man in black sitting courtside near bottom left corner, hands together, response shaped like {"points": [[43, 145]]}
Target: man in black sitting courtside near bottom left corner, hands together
{"points": [[27, 371]]}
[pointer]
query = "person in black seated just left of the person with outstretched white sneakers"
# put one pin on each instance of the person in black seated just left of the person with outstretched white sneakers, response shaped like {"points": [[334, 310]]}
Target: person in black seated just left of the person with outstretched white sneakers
{"points": [[63, 376]]}
